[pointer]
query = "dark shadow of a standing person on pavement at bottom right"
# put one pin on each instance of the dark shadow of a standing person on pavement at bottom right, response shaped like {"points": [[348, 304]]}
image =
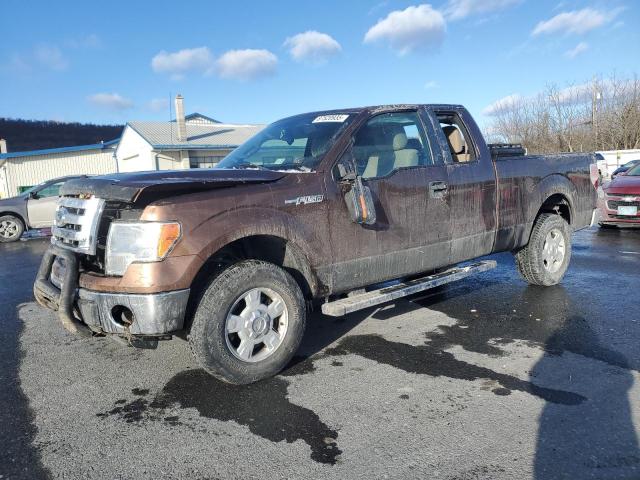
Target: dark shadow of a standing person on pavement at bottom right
{"points": [[600, 440]]}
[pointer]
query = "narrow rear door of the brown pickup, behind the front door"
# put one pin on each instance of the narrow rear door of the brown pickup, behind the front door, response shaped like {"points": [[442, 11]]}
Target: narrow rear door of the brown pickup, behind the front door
{"points": [[472, 185]]}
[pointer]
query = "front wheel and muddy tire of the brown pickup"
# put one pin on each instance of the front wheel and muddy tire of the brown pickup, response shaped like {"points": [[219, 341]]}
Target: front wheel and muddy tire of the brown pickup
{"points": [[229, 319]]}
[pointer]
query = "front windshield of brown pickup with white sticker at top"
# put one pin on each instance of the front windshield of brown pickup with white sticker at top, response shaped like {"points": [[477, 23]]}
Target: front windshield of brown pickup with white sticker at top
{"points": [[295, 143]]}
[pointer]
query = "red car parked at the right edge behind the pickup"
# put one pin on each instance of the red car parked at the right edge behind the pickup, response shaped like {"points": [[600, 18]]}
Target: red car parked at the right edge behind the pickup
{"points": [[621, 202]]}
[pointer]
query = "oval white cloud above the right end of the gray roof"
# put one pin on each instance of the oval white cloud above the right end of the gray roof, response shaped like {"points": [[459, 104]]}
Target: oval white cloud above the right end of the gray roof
{"points": [[246, 65]]}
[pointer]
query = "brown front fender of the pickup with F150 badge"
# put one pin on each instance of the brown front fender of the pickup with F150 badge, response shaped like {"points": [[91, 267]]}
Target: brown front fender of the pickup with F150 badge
{"points": [[293, 208]]}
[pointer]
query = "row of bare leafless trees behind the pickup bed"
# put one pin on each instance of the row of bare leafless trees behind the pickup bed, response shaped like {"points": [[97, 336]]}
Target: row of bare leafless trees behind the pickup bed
{"points": [[602, 114]]}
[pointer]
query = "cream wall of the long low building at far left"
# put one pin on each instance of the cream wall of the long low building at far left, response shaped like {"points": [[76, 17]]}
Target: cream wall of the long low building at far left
{"points": [[31, 170]]}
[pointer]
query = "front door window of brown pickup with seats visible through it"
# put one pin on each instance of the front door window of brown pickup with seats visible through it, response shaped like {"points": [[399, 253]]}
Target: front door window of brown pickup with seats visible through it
{"points": [[388, 142]]}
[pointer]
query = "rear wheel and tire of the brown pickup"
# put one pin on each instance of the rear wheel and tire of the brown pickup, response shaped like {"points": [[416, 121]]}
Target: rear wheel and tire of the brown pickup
{"points": [[544, 265]]}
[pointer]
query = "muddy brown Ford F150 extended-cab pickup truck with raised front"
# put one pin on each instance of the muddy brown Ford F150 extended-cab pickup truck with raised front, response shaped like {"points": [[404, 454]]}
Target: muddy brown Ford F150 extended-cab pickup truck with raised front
{"points": [[319, 207]]}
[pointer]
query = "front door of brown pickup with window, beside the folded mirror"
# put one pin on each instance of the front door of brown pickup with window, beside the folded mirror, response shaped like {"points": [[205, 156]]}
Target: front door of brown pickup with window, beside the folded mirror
{"points": [[411, 234]]}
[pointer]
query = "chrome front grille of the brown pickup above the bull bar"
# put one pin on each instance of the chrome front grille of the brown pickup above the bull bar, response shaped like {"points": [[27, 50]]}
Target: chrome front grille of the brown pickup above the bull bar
{"points": [[76, 224]]}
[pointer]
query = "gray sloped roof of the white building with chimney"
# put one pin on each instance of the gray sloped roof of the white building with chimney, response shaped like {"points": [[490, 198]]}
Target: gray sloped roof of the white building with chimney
{"points": [[164, 135]]}
